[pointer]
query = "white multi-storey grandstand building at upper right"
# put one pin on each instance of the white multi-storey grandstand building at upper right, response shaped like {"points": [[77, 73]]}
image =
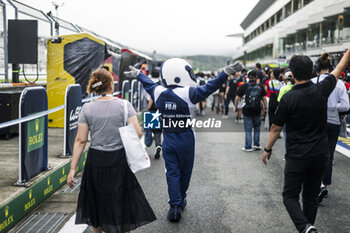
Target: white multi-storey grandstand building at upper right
{"points": [[280, 29]]}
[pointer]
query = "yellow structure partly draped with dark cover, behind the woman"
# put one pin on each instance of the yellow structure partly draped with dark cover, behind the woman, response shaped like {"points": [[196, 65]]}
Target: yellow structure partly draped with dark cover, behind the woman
{"points": [[70, 60]]}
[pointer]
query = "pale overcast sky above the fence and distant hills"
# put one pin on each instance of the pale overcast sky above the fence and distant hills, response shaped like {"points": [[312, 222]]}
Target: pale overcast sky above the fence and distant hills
{"points": [[176, 27]]}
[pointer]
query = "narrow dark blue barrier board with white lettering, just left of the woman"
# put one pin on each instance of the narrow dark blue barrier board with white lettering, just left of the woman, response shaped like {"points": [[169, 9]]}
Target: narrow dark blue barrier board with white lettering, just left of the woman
{"points": [[72, 109]]}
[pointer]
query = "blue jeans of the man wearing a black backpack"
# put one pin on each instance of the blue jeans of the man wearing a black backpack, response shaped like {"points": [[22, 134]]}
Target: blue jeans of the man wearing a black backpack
{"points": [[249, 124]]}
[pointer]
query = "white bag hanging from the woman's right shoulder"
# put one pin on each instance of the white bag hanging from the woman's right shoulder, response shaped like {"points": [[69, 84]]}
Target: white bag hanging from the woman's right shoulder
{"points": [[136, 154]]}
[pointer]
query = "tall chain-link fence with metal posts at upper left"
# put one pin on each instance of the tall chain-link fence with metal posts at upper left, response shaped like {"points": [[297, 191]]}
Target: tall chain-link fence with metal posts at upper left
{"points": [[46, 29]]}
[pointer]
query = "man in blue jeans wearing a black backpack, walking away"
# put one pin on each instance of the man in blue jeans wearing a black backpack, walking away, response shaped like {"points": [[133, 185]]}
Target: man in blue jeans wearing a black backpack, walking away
{"points": [[253, 94]]}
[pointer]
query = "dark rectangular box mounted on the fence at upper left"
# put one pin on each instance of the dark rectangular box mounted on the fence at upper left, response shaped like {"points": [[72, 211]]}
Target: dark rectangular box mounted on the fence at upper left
{"points": [[23, 41]]}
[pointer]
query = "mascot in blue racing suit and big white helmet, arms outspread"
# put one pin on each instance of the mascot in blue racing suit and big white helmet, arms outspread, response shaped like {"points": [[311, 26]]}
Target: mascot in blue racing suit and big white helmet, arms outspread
{"points": [[176, 100]]}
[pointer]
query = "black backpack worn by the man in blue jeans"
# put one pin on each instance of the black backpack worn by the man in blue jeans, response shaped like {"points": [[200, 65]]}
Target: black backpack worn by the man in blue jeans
{"points": [[253, 98]]}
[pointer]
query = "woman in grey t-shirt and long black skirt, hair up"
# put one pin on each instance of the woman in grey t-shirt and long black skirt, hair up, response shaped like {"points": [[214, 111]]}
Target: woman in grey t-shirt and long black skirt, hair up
{"points": [[110, 197]]}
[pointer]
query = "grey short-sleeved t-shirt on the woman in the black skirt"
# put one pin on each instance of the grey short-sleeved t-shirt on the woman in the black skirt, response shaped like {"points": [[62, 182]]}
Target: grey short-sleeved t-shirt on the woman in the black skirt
{"points": [[104, 118]]}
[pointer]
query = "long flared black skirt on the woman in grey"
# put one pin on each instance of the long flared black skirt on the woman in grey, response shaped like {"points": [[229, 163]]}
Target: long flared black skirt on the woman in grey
{"points": [[110, 196]]}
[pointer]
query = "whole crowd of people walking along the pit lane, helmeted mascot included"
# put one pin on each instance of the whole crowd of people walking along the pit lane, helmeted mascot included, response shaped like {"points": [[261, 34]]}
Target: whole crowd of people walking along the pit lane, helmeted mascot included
{"points": [[309, 112]]}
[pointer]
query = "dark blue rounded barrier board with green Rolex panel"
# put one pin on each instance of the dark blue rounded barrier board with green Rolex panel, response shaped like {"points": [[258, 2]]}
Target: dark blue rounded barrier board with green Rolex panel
{"points": [[32, 134]]}
